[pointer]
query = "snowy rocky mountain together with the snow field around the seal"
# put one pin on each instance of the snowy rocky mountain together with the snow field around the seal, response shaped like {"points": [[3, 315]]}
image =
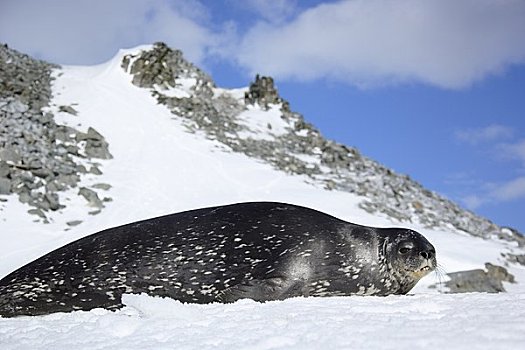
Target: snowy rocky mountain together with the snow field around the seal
{"points": [[147, 134]]}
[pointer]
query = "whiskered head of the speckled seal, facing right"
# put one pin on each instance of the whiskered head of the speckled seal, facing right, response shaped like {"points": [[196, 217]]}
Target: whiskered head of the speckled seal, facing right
{"points": [[409, 257]]}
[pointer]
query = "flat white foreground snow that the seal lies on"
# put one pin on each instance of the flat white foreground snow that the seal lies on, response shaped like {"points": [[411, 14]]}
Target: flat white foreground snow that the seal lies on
{"points": [[474, 321]]}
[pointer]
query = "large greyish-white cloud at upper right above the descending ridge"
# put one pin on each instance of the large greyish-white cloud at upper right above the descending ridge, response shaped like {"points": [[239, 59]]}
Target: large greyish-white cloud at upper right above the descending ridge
{"points": [[448, 43]]}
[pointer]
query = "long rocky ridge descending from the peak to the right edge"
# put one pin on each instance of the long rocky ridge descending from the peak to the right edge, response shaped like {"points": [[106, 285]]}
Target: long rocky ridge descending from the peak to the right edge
{"points": [[301, 149]]}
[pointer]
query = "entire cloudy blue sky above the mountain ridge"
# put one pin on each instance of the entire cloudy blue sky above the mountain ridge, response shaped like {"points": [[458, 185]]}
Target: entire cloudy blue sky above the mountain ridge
{"points": [[434, 89]]}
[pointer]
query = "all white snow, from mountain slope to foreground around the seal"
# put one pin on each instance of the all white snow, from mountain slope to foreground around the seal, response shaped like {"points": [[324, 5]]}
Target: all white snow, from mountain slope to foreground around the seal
{"points": [[158, 168]]}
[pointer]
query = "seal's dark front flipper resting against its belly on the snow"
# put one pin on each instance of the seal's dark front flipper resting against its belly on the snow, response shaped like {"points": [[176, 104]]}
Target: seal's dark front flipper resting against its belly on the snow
{"points": [[276, 288]]}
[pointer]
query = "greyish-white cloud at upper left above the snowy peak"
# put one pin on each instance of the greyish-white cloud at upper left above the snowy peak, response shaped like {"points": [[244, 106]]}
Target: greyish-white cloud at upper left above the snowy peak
{"points": [[81, 31]]}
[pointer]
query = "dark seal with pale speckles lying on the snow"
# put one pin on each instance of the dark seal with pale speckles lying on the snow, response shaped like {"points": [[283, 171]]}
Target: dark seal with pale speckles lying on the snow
{"points": [[260, 250]]}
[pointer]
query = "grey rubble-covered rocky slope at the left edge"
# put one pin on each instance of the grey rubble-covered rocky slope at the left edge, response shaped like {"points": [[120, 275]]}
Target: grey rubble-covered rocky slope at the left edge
{"points": [[38, 157]]}
